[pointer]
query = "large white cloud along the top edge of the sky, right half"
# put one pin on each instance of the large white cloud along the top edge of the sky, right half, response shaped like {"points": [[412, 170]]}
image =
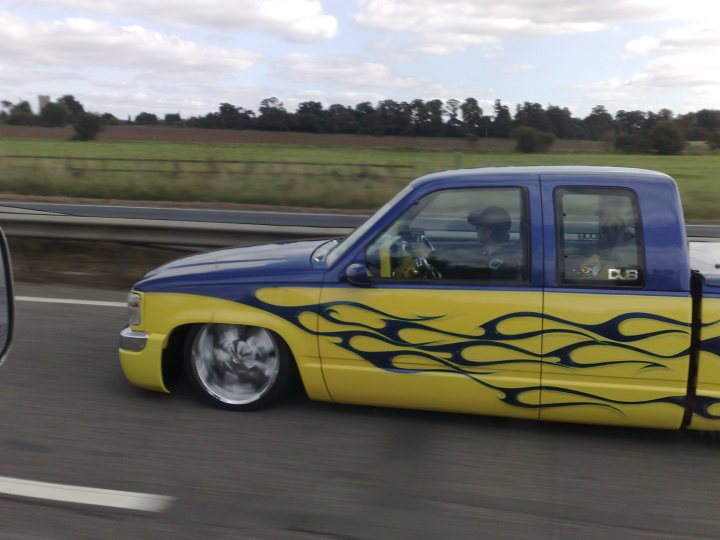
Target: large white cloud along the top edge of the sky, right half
{"points": [[456, 25]]}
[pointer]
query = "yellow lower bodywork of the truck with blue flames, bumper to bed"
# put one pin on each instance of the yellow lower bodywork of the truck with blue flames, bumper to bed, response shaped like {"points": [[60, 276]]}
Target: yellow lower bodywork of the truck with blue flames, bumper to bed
{"points": [[428, 349]]}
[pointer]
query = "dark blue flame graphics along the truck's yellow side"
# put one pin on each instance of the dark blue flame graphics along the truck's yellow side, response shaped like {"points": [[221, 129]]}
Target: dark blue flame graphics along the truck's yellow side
{"points": [[448, 357]]}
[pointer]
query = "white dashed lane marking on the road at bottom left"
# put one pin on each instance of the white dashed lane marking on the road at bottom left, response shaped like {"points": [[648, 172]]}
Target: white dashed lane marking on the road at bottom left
{"points": [[83, 495]]}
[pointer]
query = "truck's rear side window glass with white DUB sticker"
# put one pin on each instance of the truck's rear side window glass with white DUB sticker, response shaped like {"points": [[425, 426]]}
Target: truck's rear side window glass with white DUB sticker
{"points": [[599, 237]]}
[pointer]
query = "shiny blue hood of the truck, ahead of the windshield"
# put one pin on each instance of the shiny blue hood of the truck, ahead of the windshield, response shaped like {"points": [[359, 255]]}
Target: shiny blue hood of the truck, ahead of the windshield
{"points": [[260, 264]]}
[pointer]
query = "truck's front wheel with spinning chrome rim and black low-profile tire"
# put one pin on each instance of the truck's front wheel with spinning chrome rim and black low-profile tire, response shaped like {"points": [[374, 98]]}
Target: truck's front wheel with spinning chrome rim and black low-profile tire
{"points": [[237, 367]]}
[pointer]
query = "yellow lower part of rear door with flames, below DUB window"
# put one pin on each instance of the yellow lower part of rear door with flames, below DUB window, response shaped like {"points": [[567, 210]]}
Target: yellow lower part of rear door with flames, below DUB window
{"points": [[614, 362]]}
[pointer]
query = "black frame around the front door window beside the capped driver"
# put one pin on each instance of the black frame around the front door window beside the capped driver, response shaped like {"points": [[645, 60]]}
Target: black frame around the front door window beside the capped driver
{"points": [[524, 231]]}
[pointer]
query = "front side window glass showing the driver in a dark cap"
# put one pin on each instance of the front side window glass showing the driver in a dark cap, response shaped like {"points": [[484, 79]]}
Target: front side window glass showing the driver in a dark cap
{"points": [[456, 235]]}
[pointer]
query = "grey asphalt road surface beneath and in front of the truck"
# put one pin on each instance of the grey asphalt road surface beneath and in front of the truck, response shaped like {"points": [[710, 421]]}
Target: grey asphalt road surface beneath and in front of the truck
{"points": [[303, 470]]}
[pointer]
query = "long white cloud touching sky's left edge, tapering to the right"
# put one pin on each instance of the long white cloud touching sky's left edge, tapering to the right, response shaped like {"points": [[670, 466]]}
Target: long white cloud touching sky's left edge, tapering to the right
{"points": [[84, 42]]}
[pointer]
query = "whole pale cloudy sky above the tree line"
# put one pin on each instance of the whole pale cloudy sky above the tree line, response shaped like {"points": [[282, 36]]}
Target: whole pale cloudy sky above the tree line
{"points": [[188, 56]]}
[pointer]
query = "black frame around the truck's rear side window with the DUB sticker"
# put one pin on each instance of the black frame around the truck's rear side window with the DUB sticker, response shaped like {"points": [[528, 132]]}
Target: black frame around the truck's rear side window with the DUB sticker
{"points": [[560, 270]]}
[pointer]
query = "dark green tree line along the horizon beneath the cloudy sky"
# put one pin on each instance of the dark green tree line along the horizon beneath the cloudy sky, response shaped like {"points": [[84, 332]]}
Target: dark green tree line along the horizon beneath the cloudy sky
{"points": [[533, 126]]}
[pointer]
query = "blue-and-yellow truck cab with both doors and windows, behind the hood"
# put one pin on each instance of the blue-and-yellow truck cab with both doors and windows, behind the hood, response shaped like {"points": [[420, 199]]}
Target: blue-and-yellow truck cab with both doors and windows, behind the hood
{"points": [[584, 314]]}
